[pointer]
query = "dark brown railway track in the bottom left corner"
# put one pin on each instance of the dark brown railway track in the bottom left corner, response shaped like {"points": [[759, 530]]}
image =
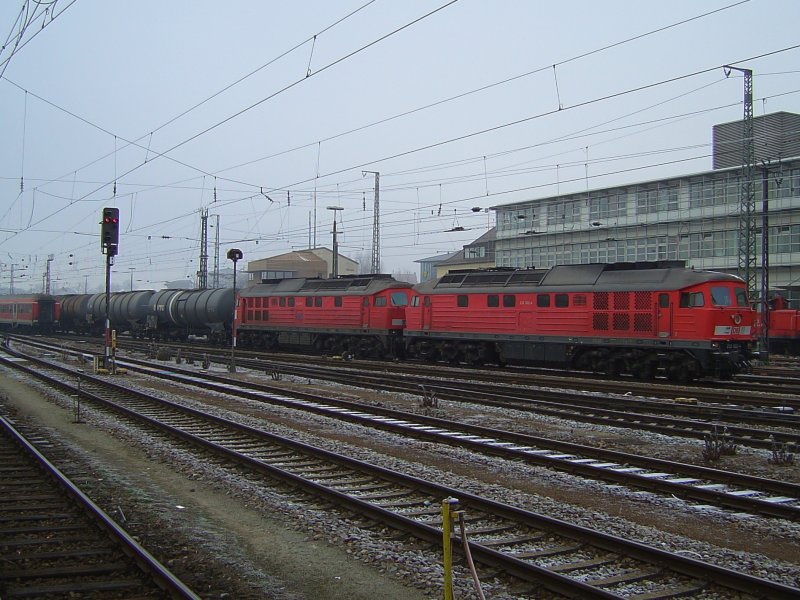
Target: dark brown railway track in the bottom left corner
{"points": [[56, 543]]}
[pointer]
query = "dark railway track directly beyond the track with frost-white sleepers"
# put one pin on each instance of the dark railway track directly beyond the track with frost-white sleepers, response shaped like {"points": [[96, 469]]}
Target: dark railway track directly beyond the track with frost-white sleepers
{"points": [[774, 429]]}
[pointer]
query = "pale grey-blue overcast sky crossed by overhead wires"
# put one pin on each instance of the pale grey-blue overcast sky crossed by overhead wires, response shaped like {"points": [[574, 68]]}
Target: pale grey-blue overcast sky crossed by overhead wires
{"points": [[126, 69]]}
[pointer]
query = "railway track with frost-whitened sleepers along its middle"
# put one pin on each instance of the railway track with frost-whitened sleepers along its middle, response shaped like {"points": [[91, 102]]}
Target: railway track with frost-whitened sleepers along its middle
{"points": [[725, 489]]}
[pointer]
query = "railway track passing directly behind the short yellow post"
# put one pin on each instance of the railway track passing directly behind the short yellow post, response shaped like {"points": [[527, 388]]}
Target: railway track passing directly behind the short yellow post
{"points": [[561, 557]]}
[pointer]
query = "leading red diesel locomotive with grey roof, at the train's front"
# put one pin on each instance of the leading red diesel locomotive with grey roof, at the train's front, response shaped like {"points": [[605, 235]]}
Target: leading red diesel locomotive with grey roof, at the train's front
{"points": [[624, 318]]}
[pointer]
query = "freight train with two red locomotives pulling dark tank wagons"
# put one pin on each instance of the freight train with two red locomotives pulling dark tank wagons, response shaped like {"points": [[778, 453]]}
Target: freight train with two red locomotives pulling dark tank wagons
{"points": [[638, 319]]}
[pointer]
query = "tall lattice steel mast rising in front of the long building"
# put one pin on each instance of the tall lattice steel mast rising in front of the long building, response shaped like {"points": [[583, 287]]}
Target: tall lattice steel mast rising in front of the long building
{"points": [[747, 197]]}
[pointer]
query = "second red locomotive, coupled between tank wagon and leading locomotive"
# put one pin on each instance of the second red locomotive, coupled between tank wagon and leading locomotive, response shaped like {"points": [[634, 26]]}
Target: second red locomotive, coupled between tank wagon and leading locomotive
{"points": [[359, 315]]}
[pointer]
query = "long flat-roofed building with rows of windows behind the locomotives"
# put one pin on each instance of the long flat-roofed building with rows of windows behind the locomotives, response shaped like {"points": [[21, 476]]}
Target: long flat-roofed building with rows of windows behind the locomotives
{"points": [[694, 218]]}
